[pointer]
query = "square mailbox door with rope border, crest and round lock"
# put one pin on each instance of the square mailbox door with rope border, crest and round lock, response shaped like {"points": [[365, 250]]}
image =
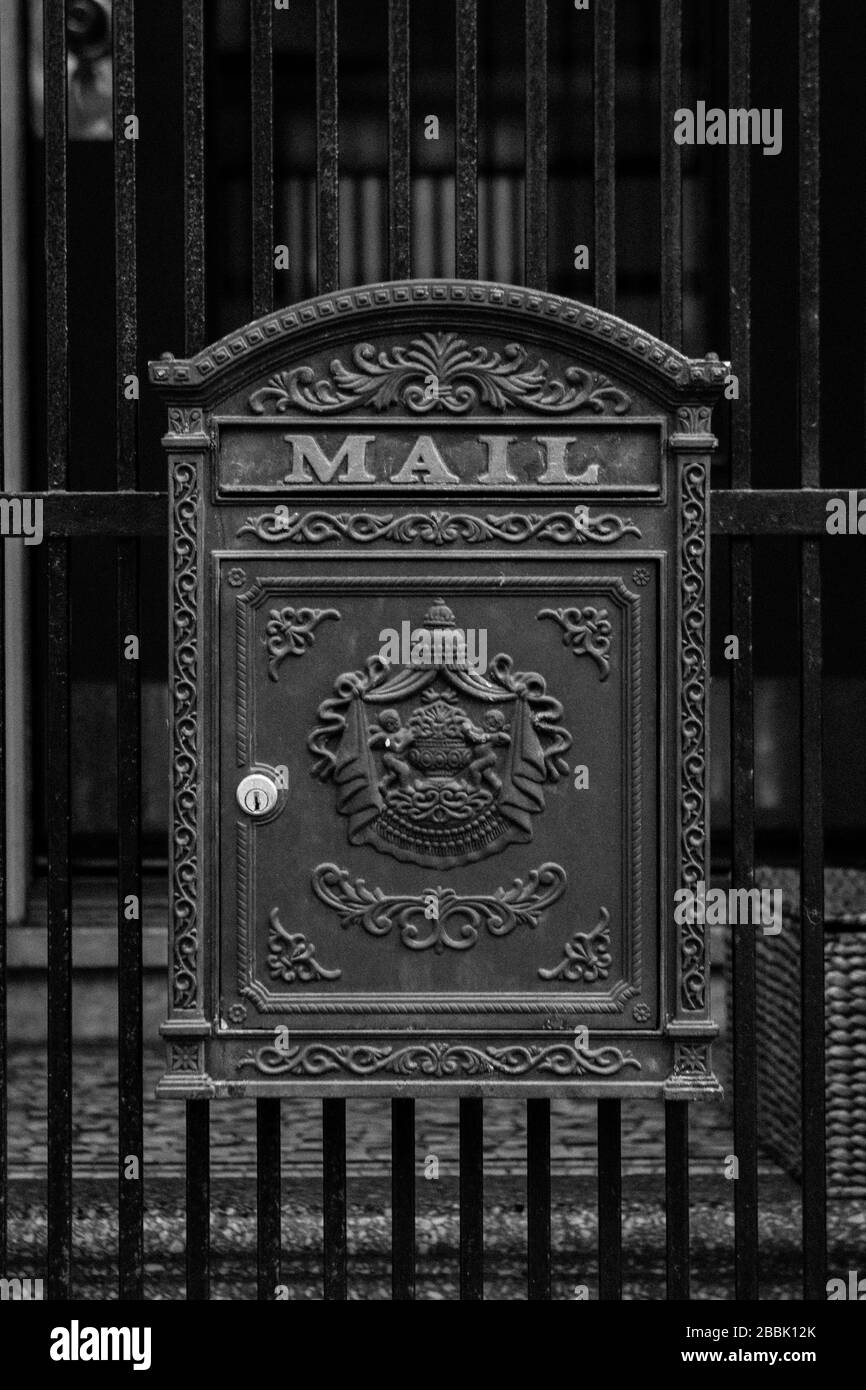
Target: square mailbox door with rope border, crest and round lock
{"points": [[468, 761]]}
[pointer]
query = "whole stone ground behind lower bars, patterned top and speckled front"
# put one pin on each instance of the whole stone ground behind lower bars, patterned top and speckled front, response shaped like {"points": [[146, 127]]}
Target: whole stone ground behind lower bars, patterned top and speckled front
{"points": [[575, 1231]]}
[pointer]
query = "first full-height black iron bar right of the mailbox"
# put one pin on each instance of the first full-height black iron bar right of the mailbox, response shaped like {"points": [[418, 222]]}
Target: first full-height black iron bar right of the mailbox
{"points": [[744, 1024]]}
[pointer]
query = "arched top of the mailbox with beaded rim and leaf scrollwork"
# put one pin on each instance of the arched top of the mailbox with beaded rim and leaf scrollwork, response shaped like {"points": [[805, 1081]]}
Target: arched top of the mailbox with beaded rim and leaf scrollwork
{"points": [[525, 322]]}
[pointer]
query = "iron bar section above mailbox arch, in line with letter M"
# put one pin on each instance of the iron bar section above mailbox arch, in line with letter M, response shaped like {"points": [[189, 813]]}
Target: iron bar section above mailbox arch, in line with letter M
{"points": [[327, 147]]}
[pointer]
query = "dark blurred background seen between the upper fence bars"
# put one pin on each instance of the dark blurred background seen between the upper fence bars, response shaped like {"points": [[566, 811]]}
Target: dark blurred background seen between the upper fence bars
{"points": [[363, 258]]}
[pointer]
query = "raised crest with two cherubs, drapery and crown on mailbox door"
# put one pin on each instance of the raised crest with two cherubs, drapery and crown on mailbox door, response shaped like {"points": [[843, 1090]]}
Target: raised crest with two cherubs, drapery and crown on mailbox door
{"points": [[439, 762]]}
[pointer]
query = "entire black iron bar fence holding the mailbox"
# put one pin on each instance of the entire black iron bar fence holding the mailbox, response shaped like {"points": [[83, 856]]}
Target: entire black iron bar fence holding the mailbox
{"points": [[746, 516]]}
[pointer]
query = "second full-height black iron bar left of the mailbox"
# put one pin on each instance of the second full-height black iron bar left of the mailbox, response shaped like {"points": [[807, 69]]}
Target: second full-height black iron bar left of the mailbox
{"points": [[58, 697]]}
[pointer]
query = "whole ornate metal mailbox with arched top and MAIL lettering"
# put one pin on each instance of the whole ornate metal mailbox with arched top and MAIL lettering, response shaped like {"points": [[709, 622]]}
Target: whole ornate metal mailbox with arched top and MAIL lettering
{"points": [[439, 580]]}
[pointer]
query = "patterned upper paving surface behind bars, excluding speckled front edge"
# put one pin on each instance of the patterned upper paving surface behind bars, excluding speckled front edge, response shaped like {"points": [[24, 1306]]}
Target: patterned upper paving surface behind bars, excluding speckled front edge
{"points": [[369, 1134]]}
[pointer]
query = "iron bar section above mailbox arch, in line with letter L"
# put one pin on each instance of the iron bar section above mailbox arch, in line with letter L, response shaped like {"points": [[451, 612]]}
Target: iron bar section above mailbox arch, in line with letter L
{"points": [[536, 211]]}
